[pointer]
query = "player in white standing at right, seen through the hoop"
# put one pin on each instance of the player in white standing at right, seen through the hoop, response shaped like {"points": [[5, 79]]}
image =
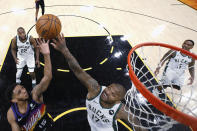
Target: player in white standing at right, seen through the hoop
{"points": [[178, 63]]}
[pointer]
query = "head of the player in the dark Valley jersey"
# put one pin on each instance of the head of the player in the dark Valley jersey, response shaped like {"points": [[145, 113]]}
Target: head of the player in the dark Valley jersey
{"points": [[16, 93]]}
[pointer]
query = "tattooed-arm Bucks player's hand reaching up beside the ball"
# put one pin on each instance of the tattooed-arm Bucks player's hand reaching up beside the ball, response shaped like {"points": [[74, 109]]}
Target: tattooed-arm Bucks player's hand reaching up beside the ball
{"points": [[60, 43]]}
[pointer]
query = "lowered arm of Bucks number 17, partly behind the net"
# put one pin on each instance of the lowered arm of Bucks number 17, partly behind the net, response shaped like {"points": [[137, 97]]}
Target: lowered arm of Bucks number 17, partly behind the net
{"points": [[122, 114]]}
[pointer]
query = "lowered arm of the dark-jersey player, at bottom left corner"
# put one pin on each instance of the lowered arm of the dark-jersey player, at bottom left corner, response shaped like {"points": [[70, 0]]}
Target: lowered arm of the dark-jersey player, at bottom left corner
{"points": [[12, 121]]}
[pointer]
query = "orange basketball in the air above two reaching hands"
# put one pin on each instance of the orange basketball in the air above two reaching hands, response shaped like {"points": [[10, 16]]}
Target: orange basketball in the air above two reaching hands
{"points": [[48, 26]]}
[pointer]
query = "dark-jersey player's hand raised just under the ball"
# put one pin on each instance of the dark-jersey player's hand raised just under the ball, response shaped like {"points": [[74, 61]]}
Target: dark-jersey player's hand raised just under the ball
{"points": [[43, 46]]}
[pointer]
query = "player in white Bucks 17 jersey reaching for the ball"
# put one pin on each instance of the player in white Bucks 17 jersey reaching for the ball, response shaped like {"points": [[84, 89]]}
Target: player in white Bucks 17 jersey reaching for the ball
{"points": [[104, 105]]}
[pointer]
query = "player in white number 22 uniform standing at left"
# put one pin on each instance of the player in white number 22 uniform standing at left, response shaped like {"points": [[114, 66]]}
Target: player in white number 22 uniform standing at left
{"points": [[22, 49]]}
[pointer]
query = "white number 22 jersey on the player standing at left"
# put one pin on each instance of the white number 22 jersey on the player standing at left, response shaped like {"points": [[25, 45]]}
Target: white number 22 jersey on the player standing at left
{"points": [[24, 48]]}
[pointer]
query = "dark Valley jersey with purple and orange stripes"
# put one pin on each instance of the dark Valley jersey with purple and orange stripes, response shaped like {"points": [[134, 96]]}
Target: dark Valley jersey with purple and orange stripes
{"points": [[35, 119]]}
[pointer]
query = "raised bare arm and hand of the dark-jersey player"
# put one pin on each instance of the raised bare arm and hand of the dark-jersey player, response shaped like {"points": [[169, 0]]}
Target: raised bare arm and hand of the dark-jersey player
{"points": [[44, 83]]}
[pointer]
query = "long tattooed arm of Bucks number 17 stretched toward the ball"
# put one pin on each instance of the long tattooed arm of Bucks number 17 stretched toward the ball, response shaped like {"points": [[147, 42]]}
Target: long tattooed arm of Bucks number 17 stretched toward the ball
{"points": [[90, 83]]}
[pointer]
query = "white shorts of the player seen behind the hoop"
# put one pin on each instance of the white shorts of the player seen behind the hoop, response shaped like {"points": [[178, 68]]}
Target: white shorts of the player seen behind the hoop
{"points": [[173, 77]]}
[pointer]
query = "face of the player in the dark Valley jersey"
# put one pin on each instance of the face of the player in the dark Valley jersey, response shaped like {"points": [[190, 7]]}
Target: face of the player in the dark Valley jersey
{"points": [[20, 93]]}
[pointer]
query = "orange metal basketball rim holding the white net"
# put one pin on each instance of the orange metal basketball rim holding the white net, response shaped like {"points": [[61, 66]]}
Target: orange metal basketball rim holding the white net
{"points": [[163, 107]]}
